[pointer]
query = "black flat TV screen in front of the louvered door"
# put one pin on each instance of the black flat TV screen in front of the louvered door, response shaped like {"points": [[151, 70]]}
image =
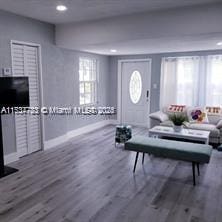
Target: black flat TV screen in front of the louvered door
{"points": [[14, 92]]}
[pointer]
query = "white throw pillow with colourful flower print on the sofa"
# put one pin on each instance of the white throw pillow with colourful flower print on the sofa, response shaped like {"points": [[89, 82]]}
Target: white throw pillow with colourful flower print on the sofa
{"points": [[197, 115]]}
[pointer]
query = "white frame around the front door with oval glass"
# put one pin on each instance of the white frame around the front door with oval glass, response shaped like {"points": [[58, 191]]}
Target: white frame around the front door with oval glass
{"points": [[119, 85]]}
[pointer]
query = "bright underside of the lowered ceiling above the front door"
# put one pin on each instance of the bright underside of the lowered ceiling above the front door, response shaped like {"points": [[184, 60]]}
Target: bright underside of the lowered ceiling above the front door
{"points": [[154, 46]]}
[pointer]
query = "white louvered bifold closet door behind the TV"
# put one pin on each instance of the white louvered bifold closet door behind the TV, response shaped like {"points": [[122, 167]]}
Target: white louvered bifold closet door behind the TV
{"points": [[25, 63]]}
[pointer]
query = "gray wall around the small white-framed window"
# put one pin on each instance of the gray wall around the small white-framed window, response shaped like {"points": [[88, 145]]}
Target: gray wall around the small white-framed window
{"points": [[61, 88]]}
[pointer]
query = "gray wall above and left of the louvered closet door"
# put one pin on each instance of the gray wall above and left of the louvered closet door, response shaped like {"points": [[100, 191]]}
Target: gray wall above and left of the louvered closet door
{"points": [[18, 28]]}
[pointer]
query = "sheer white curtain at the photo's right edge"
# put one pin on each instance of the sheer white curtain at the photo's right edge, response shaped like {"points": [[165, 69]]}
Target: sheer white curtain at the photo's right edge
{"points": [[214, 80]]}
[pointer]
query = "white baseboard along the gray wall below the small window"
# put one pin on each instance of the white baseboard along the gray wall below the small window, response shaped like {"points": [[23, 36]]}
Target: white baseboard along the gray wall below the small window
{"points": [[71, 134]]}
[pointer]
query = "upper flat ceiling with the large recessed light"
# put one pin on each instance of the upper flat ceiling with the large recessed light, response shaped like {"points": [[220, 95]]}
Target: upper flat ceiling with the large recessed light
{"points": [[84, 10]]}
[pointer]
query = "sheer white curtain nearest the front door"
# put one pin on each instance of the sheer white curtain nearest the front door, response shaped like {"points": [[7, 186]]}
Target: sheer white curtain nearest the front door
{"points": [[179, 81]]}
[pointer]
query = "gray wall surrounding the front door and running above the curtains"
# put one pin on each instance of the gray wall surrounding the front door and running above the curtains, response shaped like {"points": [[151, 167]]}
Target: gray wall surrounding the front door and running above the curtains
{"points": [[155, 73]]}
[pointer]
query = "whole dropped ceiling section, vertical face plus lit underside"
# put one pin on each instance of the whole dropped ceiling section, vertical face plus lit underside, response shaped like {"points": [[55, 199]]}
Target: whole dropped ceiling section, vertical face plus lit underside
{"points": [[185, 29]]}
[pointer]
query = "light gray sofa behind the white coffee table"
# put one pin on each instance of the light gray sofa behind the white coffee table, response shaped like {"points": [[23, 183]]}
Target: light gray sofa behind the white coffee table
{"points": [[214, 125]]}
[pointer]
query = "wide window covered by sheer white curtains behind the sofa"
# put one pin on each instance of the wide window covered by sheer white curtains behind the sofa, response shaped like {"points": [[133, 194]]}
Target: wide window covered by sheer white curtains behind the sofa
{"points": [[191, 81]]}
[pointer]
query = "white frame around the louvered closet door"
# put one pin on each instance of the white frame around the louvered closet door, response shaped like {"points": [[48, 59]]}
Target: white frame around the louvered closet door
{"points": [[42, 125]]}
